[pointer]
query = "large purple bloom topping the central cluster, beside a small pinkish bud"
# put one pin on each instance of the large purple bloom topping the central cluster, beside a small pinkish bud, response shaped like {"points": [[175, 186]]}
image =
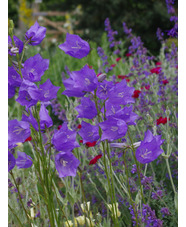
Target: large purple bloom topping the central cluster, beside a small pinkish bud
{"points": [[80, 82]]}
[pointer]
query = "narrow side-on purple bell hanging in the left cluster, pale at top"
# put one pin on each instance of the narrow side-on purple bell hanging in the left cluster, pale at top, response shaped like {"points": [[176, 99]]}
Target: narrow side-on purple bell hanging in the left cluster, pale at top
{"points": [[45, 119]]}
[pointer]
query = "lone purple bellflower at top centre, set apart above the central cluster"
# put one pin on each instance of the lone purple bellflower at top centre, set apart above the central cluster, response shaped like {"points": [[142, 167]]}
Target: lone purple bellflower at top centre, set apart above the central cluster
{"points": [[75, 46]]}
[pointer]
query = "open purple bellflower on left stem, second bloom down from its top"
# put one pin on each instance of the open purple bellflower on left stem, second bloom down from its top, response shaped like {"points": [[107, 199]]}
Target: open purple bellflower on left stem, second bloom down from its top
{"points": [[34, 68]]}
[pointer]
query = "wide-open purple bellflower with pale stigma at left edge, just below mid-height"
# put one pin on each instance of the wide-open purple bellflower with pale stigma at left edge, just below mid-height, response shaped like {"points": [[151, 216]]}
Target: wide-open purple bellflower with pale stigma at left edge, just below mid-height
{"points": [[18, 132]]}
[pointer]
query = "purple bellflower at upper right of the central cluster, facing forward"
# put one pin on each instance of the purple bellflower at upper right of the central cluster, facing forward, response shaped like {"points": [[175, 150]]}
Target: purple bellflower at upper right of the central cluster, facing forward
{"points": [[121, 94]]}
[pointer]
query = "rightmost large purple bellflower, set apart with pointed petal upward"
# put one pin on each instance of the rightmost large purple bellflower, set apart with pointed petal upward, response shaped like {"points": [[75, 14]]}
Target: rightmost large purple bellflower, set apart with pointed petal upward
{"points": [[149, 149]]}
